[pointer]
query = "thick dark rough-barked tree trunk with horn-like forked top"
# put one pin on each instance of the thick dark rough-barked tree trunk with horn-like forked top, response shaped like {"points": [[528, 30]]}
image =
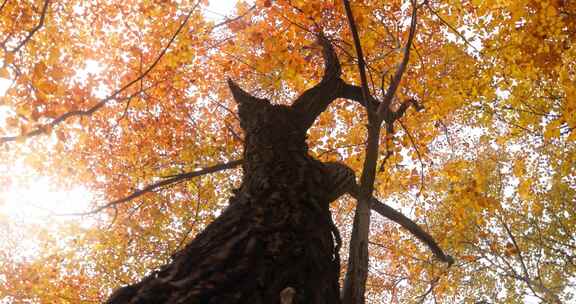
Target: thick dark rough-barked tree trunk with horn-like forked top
{"points": [[275, 242]]}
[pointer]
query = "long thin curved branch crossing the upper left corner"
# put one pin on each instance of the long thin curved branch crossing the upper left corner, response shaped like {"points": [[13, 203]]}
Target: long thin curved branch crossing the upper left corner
{"points": [[103, 102]]}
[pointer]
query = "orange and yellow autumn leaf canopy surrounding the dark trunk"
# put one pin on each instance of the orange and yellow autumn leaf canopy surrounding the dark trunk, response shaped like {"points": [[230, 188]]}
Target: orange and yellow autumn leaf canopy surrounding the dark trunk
{"points": [[130, 100]]}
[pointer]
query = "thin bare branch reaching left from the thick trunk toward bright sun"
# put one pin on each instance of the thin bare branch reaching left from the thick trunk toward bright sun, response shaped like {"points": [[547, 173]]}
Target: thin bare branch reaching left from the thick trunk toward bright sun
{"points": [[172, 180]]}
